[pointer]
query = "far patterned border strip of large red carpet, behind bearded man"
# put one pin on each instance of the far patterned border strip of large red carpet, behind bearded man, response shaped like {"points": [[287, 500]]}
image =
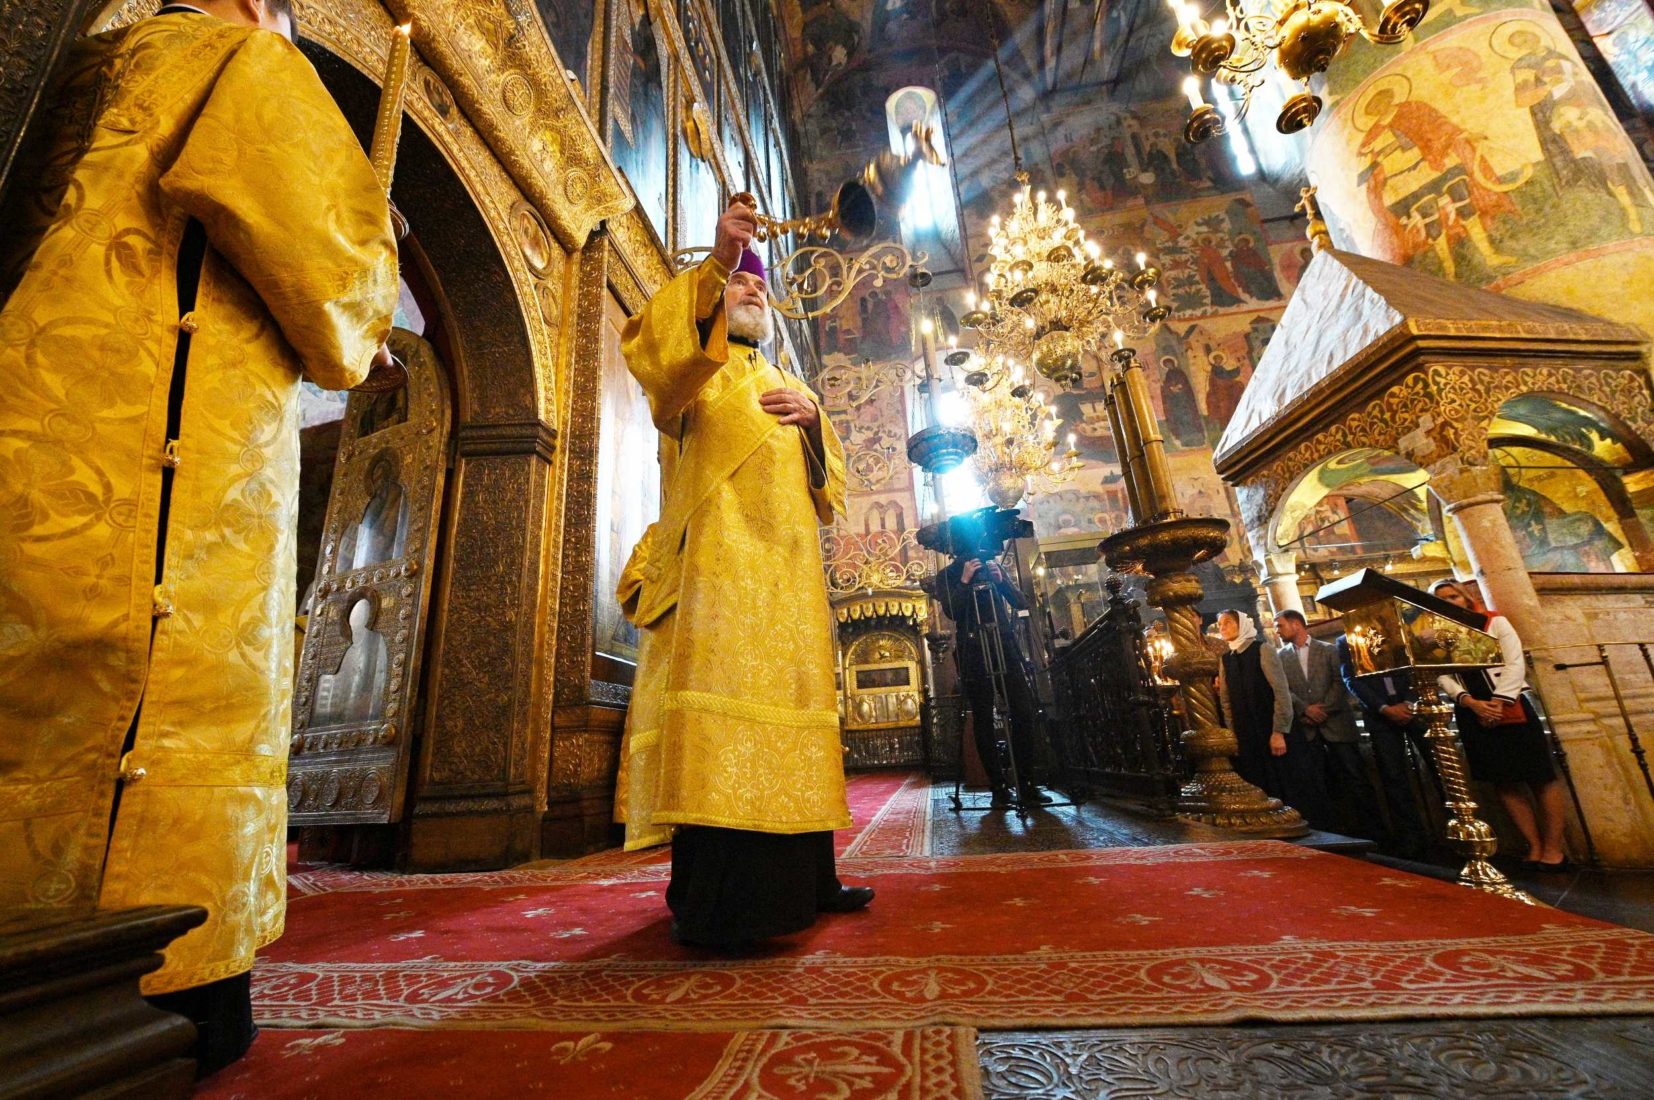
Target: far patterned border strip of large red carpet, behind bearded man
{"points": [[616, 876]]}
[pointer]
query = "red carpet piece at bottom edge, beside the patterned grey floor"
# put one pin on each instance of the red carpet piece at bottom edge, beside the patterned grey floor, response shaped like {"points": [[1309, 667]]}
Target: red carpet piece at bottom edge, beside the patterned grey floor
{"points": [[920, 1064]]}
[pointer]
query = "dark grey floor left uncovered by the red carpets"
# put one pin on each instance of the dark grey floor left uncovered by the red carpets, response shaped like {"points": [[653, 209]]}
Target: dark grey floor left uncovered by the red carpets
{"points": [[1582, 1058]]}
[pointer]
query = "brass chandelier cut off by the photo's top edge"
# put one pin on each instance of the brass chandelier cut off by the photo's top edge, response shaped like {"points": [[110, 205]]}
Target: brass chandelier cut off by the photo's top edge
{"points": [[1301, 37]]}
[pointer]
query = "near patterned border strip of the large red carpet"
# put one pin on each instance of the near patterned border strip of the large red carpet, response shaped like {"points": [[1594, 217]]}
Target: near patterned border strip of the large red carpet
{"points": [[1557, 972]]}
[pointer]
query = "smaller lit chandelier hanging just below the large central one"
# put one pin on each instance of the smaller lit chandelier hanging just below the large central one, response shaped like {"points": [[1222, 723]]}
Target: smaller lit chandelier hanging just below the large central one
{"points": [[1016, 442]]}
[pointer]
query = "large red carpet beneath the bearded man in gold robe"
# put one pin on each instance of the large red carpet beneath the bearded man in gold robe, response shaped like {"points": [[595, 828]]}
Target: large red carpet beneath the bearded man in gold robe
{"points": [[1174, 935]]}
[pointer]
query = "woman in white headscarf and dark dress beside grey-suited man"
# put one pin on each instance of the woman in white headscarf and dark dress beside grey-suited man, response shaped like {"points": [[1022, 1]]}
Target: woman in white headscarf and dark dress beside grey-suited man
{"points": [[1273, 757]]}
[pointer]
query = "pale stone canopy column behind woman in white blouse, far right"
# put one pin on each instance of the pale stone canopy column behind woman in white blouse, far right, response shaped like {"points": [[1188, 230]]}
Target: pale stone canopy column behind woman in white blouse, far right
{"points": [[1605, 773]]}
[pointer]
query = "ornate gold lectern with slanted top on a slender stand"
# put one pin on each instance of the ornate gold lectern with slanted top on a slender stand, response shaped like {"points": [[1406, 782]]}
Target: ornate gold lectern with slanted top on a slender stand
{"points": [[1397, 629]]}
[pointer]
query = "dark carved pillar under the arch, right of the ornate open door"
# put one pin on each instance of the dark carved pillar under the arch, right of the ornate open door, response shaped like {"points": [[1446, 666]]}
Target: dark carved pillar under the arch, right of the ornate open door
{"points": [[476, 805]]}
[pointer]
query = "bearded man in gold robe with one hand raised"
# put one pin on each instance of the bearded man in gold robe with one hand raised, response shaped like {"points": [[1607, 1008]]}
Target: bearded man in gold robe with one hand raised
{"points": [[734, 732]]}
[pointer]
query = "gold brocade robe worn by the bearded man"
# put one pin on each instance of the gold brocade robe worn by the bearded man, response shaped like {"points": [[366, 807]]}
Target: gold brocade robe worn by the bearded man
{"points": [[735, 715]]}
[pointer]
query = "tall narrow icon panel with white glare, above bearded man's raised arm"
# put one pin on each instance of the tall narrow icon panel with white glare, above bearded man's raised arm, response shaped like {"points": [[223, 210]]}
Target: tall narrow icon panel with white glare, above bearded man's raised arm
{"points": [[638, 98]]}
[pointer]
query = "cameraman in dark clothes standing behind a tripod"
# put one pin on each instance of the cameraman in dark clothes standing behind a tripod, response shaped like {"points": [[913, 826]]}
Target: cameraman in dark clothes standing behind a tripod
{"points": [[963, 585]]}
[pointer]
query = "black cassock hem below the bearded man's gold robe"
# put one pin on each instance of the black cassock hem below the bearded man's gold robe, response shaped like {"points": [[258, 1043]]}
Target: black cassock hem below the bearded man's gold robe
{"points": [[734, 886]]}
